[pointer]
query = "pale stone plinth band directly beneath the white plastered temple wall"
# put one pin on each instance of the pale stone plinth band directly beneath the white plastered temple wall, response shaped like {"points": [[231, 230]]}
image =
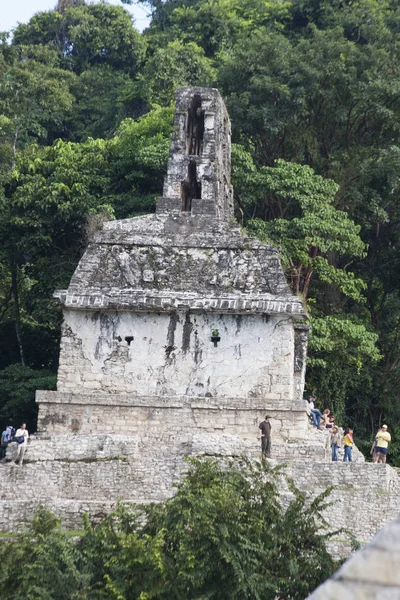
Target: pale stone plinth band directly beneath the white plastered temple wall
{"points": [[178, 420]]}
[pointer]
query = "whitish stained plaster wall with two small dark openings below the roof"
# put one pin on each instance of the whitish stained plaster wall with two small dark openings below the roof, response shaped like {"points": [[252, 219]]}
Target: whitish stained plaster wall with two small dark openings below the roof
{"points": [[167, 355]]}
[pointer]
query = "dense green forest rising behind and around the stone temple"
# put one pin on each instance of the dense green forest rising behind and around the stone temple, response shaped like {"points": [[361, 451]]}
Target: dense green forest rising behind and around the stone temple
{"points": [[312, 89]]}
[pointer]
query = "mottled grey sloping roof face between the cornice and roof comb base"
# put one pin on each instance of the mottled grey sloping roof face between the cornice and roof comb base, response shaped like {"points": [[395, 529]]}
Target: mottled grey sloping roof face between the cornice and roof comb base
{"points": [[216, 270]]}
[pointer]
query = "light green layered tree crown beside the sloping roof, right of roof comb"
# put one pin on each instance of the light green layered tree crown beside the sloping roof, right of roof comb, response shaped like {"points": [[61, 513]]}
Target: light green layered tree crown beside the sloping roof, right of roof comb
{"points": [[315, 230]]}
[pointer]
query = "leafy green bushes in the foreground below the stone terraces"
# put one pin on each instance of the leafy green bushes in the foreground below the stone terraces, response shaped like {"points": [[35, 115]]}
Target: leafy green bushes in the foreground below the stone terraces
{"points": [[222, 536]]}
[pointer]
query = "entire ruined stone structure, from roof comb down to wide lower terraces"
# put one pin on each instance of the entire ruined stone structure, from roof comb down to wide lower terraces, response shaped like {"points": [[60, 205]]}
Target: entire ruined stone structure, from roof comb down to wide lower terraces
{"points": [[179, 335]]}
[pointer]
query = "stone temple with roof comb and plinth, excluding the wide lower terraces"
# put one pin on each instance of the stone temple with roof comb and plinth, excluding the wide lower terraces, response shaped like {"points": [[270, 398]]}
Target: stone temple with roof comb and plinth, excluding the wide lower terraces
{"points": [[175, 324]]}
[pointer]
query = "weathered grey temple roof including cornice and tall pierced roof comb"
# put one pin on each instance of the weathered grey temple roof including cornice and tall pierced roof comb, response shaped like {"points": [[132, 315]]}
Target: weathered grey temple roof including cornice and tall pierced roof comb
{"points": [[191, 253]]}
